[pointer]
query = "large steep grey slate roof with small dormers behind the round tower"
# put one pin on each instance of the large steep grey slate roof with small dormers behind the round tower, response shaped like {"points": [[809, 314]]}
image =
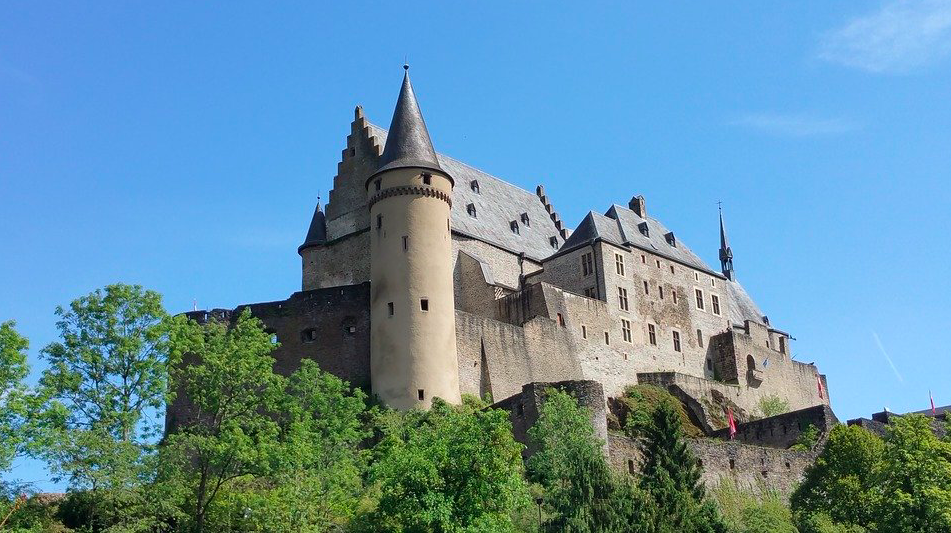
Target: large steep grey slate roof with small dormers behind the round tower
{"points": [[497, 204]]}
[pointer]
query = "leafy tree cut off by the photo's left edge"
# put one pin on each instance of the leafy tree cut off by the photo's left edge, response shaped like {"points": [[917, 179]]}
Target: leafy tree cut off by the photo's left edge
{"points": [[13, 392]]}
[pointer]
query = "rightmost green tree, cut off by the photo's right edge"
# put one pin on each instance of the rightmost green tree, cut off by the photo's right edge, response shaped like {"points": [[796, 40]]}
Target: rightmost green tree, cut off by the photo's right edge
{"points": [[914, 479]]}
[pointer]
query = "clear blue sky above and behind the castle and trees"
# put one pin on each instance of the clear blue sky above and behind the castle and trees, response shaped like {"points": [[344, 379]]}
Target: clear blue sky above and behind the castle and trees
{"points": [[182, 146]]}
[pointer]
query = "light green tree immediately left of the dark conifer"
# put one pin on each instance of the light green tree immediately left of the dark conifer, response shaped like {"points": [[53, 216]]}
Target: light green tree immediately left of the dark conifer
{"points": [[583, 494]]}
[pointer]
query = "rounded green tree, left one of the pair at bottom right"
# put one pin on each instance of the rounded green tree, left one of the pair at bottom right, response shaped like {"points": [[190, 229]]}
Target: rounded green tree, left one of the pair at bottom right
{"points": [[843, 482]]}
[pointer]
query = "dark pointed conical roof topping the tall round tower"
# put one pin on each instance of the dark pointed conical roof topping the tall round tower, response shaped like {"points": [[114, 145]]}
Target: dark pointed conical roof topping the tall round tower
{"points": [[407, 143]]}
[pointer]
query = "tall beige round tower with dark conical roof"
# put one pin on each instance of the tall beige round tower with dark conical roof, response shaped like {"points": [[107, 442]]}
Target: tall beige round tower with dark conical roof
{"points": [[412, 313]]}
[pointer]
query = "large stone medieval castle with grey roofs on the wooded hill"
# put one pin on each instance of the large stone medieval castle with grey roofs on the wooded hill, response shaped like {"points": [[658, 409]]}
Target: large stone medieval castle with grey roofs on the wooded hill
{"points": [[425, 277]]}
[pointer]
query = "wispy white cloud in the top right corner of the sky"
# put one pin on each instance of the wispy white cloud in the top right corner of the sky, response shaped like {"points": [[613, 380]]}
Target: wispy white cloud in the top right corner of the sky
{"points": [[902, 36]]}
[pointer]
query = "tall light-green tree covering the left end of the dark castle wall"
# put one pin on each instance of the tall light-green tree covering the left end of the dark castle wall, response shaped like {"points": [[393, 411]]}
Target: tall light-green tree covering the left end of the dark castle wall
{"points": [[226, 376]]}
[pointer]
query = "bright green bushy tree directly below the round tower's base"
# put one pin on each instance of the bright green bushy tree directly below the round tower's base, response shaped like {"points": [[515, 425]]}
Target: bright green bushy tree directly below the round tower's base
{"points": [[452, 468]]}
